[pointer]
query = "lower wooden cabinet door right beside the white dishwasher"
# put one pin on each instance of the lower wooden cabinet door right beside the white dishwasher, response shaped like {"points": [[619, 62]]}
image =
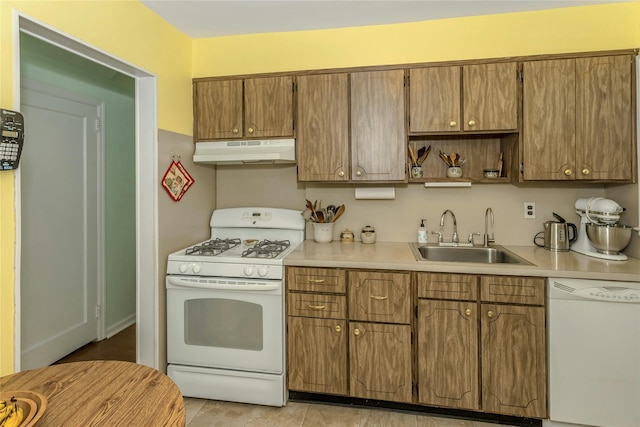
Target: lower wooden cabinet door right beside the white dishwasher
{"points": [[514, 373]]}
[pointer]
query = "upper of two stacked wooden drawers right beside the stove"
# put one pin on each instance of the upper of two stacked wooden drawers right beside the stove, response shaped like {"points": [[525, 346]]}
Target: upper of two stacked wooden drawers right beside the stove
{"points": [[316, 279]]}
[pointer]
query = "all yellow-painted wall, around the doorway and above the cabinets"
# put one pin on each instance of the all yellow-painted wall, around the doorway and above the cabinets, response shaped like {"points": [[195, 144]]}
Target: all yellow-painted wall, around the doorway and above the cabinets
{"points": [[130, 31]]}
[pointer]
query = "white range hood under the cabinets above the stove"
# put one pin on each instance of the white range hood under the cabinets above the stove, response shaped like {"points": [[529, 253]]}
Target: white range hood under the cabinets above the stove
{"points": [[238, 152]]}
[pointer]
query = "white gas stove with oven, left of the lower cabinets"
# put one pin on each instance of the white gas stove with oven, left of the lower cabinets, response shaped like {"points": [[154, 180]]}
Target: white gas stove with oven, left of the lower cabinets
{"points": [[225, 307]]}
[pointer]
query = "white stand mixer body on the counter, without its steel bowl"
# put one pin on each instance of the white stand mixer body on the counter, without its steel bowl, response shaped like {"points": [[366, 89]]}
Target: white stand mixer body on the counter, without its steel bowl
{"points": [[596, 210]]}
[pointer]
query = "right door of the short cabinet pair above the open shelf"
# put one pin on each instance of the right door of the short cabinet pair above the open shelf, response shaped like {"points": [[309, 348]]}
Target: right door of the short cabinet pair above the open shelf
{"points": [[490, 97]]}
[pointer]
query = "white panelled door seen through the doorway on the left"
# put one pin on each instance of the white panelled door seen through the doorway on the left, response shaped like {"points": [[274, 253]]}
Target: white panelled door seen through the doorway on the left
{"points": [[60, 171]]}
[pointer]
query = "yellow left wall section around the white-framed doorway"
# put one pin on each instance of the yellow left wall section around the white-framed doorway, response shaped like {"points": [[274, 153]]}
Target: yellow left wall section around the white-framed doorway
{"points": [[125, 29]]}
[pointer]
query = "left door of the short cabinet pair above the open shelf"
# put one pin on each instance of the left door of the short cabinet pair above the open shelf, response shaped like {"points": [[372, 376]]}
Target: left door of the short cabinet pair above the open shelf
{"points": [[434, 99]]}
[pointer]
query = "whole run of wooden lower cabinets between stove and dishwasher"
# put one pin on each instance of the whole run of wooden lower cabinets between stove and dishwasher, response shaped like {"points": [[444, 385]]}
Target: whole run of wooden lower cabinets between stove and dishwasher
{"points": [[479, 347]]}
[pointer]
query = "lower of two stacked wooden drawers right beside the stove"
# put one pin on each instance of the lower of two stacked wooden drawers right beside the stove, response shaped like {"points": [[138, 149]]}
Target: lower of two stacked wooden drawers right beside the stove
{"points": [[317, 305]]}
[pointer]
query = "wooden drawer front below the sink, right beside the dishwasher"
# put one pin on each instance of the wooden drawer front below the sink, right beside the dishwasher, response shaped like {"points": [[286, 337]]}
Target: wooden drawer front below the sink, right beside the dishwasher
{"points": [[515, 290]]}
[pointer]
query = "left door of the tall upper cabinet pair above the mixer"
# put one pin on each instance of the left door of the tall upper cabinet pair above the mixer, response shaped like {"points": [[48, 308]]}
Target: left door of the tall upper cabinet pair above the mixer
{"points": [[549, 120]]}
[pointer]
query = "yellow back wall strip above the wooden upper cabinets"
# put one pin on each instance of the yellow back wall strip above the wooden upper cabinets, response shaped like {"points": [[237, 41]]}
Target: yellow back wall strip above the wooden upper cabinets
{"points": [[574, 29]]}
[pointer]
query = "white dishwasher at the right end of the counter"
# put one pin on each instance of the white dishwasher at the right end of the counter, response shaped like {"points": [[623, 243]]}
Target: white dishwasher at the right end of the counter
{"points": [[593, 329]]}
